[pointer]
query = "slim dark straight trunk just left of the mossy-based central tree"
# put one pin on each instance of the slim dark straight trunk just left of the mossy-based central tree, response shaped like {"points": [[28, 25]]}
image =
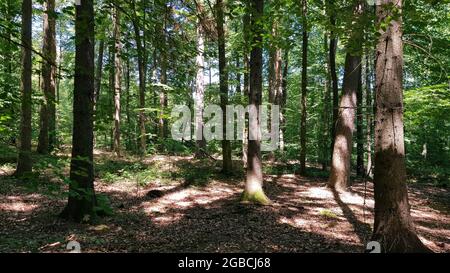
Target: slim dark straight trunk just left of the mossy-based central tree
{"points": [[227, 164]]}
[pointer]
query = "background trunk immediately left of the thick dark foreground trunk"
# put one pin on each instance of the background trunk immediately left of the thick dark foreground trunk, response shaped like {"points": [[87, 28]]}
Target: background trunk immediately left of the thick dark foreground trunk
{"points": [[47, 132]]}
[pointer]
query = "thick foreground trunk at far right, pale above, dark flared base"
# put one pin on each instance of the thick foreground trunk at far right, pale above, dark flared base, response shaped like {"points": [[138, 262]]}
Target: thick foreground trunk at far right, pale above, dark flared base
{"points": [[393, 226]]}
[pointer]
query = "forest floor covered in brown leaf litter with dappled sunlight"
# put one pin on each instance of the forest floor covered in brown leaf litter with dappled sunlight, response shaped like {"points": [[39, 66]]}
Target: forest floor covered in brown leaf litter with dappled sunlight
{"points": [[178, 204]]}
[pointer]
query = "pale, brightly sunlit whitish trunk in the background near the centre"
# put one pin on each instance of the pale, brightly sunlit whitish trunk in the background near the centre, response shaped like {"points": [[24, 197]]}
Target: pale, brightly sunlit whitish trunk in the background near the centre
{"points": [[200, 90]]}
